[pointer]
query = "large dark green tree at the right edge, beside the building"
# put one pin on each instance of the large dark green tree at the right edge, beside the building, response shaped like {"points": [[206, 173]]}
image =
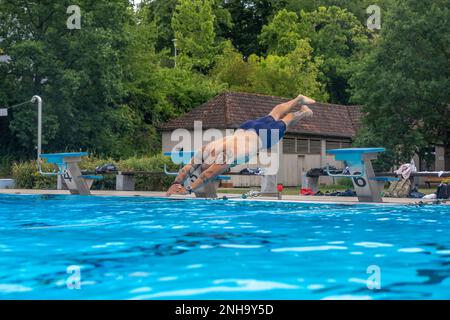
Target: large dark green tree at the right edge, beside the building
{"points": [[404, 83]]}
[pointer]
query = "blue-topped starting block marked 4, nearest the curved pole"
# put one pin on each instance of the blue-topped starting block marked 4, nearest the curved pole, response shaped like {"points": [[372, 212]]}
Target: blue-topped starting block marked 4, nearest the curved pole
{"points": [[69, 172]]}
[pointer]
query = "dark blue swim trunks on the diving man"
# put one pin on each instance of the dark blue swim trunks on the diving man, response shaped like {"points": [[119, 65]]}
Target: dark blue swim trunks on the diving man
{"points": [[267, 128]]}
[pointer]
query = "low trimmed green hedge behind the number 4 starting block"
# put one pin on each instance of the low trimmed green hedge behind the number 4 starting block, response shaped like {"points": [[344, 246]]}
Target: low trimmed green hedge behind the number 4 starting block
{"points": [[27, 176]]}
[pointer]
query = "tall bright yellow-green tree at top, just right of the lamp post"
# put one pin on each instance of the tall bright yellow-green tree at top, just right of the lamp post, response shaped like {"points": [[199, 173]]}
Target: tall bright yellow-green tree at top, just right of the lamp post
{"points": [[193, 25]]}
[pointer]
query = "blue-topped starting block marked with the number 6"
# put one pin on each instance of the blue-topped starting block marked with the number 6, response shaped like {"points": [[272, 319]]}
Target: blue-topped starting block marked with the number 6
{"points": [[359, 163]]}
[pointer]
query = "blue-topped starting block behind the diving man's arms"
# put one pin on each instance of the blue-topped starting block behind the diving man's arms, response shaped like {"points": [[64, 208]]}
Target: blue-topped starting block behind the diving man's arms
{"points": [[209, 190]]}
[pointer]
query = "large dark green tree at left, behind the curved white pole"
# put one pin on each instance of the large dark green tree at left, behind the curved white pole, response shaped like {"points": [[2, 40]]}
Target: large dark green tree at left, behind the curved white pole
{"points": [[77, 72]]}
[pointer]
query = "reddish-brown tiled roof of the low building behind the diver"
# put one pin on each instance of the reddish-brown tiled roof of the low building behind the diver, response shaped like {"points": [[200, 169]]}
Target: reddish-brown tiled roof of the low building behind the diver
{"points": [[230, 109]]}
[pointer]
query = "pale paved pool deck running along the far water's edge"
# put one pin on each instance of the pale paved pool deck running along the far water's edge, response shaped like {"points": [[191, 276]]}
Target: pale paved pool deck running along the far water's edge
{"points": [[297, 198]]}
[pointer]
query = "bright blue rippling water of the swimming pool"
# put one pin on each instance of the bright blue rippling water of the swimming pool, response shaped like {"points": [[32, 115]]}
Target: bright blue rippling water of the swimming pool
{"points": [[153, 248]]}
